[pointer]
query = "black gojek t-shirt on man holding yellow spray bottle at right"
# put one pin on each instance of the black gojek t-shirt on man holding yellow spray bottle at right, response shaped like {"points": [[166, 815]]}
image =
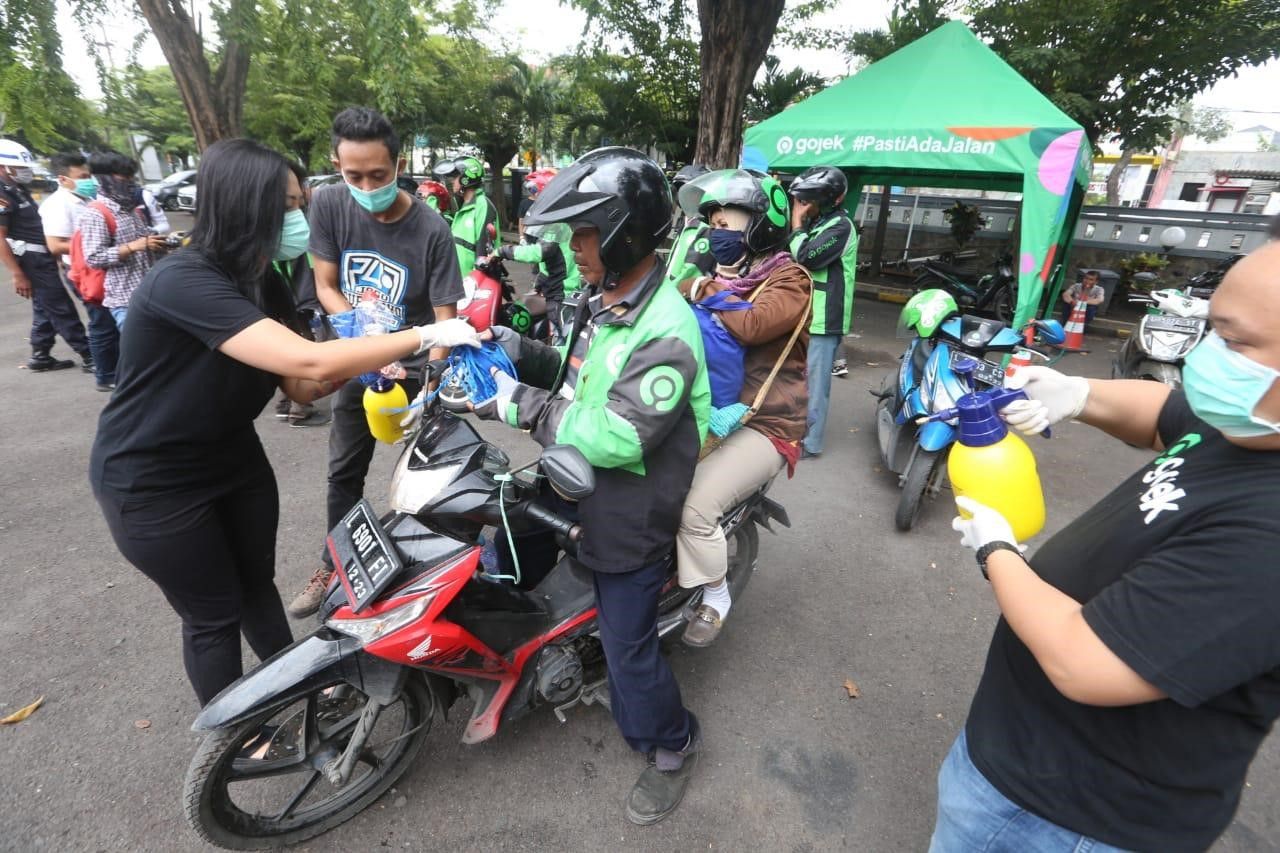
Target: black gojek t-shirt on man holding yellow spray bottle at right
{"points": [[1180, 574]]}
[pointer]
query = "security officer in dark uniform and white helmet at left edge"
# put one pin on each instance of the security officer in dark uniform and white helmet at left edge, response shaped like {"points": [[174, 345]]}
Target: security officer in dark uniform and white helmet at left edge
{"points": [[34, 270]]}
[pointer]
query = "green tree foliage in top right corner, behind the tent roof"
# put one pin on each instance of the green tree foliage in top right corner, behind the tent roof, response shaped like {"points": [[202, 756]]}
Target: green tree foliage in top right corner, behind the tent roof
{"points": [[1114, 66]]}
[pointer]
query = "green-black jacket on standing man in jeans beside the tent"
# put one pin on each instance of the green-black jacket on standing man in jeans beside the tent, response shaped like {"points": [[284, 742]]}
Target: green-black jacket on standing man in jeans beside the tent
{"points": [[829, 250]]}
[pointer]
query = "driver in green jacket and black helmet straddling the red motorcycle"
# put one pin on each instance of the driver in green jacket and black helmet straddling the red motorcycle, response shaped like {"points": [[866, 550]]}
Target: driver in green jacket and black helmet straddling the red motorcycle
{"points": [[630, 391]]}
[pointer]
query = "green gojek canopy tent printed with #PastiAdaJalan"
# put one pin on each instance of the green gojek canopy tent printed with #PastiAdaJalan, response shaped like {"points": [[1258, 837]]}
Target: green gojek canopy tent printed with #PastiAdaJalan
{"points": [[945, 112]]}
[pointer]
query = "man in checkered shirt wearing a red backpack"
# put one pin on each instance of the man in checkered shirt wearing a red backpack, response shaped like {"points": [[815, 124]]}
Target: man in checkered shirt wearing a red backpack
{"points": [[116, 235]]}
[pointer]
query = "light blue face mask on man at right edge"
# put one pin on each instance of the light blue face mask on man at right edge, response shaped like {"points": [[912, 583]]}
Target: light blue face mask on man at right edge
{"points": [[1224, 387]]}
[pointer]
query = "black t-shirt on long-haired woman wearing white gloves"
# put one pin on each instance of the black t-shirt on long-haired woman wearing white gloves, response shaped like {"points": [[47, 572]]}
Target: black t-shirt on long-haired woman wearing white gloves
{"points": [[182, 414]]}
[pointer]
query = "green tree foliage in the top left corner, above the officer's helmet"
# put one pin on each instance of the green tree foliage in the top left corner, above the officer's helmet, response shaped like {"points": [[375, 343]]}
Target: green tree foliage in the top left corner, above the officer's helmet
{"points": [[39, 103]]}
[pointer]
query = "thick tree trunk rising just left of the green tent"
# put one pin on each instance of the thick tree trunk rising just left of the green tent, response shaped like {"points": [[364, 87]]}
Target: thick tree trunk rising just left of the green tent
{"points": [[737, 37]]}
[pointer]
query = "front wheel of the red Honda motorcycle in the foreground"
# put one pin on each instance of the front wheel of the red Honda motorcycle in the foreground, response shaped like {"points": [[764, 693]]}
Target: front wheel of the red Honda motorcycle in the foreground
{"points": [[260, 784]]}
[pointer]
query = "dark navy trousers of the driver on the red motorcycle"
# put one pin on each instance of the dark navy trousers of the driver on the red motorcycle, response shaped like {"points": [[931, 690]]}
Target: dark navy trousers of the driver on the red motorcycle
{"points": [[643, 690]]}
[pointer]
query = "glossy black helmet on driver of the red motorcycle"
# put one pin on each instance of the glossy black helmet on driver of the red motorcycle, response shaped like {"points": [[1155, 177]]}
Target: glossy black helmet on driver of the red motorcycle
{"points": [[621, 193]]}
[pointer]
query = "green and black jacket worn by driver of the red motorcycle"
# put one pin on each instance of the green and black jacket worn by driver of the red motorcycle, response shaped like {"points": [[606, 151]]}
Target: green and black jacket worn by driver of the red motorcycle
{"points": [[632, 394]]}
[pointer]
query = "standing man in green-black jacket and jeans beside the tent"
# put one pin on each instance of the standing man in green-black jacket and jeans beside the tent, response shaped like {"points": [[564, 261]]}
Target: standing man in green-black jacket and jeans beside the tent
{"points": [[826, 244]]}
